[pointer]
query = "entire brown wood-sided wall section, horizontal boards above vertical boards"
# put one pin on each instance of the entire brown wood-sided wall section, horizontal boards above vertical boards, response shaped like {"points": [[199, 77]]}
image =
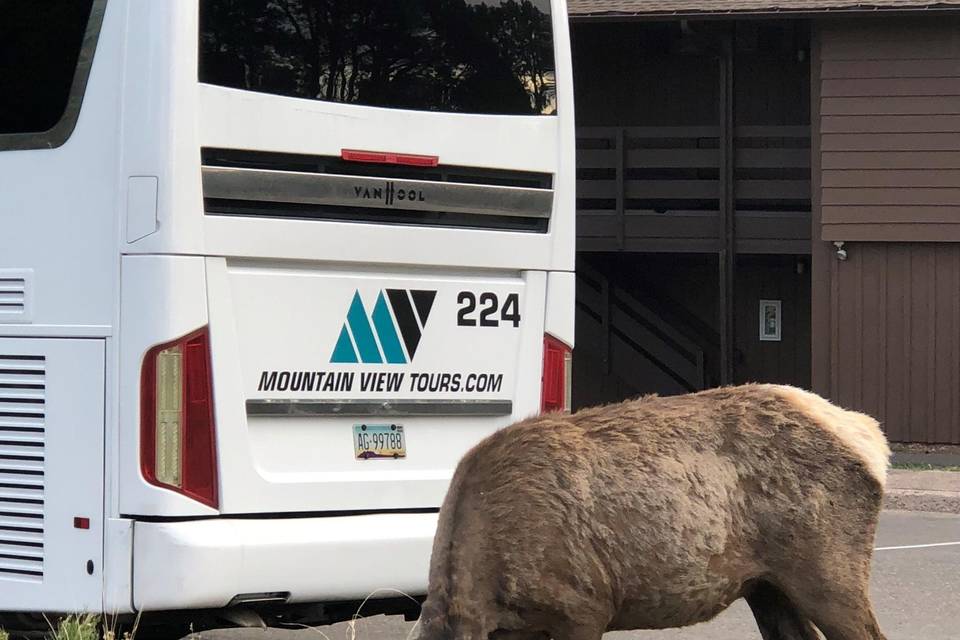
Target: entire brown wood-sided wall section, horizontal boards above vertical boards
{"points": [[886, 180]]}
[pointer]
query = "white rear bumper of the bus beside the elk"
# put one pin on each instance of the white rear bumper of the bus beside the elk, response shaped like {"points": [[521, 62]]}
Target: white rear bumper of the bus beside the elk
{"points": [[208, 563]]}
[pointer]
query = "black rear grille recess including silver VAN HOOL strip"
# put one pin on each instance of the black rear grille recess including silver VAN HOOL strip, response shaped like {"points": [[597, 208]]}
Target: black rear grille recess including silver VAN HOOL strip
{"points": [[269, 185]]}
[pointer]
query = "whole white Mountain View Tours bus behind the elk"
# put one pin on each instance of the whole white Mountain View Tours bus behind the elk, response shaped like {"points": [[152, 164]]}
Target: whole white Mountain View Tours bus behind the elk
{"points": [[267, 270]]}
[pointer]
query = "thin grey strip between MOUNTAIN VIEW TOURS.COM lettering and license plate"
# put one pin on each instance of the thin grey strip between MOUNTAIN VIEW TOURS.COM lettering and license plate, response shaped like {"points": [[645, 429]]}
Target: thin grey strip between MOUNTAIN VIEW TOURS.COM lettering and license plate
{"points": [[318, 408]]}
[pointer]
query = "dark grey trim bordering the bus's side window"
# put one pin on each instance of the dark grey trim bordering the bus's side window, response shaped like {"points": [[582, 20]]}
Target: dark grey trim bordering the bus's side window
{"points": [[59, 133]]}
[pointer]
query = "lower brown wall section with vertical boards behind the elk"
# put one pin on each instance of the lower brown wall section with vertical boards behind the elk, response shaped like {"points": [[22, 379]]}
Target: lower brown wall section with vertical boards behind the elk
{"points": [[896, 330]]}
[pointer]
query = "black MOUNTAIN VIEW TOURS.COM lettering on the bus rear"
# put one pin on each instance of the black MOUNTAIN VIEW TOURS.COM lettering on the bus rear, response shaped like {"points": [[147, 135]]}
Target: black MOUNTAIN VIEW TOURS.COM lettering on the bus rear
{"points": [[381, 382]]}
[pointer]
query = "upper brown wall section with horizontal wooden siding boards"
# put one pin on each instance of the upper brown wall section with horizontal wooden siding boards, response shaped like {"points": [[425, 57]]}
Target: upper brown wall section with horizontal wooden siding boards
{"points": [[889, 134]]}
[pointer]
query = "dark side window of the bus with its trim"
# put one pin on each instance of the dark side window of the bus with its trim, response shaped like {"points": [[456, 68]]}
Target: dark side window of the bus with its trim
{"points": [[40, 45]]}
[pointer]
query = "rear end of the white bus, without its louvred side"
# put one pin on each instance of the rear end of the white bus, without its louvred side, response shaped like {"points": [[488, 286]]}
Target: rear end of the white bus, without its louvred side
{"points": [[346, 255]]}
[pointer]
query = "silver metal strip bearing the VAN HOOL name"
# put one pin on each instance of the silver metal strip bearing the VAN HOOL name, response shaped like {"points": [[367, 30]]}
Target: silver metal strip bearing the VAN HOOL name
{"points": [[268, 185]]}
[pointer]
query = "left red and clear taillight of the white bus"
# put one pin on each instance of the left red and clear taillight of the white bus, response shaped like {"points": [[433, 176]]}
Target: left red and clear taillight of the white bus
{"points": [[177, 441]]}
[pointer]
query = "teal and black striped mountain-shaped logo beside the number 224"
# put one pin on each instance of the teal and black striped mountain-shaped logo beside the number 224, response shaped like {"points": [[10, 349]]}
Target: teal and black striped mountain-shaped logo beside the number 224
{"points": [[390, 334]]}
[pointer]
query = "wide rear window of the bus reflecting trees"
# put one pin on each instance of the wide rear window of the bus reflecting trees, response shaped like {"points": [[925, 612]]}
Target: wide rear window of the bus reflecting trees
{"points": [[469, 56]]}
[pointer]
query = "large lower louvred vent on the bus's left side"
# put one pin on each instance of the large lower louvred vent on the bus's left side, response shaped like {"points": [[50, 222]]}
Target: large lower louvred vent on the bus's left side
{"points": [[22, 441]]}
